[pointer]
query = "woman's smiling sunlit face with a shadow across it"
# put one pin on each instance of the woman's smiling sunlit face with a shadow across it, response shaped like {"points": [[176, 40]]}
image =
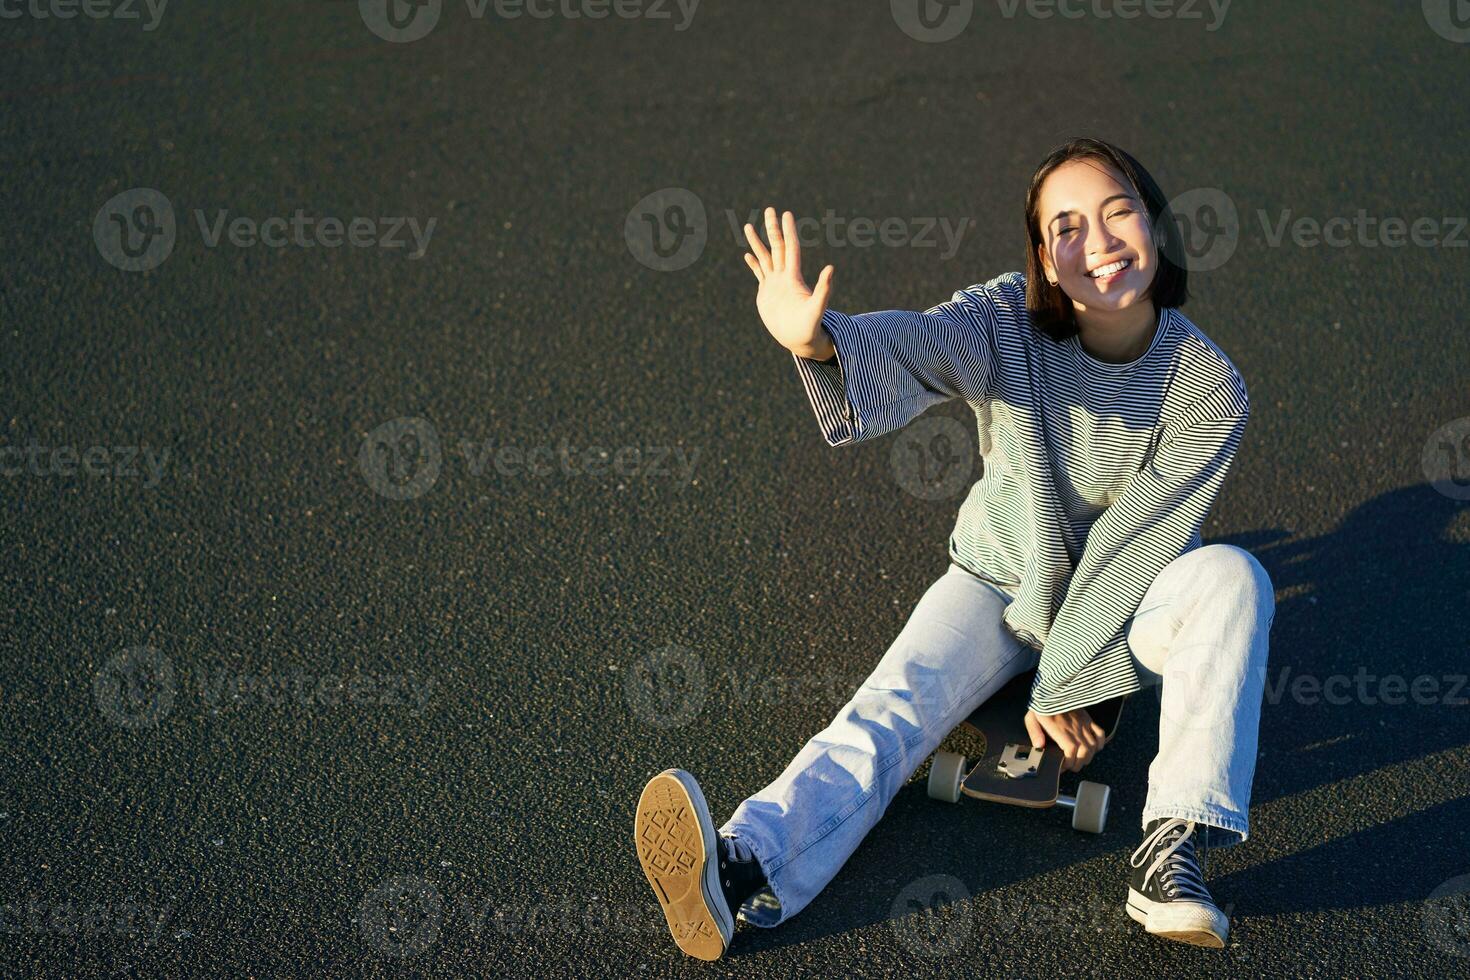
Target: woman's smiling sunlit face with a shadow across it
{"points": [[1093, 220]]}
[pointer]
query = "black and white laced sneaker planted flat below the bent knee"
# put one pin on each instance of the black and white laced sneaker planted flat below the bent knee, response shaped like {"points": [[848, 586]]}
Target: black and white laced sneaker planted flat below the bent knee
{"points": [[1166, 893]]}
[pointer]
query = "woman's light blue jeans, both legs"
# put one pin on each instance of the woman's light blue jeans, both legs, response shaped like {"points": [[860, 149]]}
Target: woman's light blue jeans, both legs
{"points": [[1200, 635]]}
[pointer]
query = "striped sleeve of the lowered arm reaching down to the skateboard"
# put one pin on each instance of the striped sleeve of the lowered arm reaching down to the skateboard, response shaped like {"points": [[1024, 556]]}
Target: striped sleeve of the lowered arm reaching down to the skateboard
{"points": [[1086, 657]]}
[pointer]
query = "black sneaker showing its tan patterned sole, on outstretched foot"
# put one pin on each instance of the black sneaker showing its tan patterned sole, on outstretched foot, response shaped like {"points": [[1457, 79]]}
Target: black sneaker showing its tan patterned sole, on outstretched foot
{"points": [[699, 878]]}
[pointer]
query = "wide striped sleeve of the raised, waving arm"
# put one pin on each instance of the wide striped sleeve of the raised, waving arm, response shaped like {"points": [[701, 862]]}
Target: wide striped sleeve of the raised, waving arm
{"points": [[892, 367]]}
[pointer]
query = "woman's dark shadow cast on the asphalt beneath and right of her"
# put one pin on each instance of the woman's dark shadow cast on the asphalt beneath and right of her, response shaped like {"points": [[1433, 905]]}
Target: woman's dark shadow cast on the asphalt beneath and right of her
{"points": [[1362, 791]]}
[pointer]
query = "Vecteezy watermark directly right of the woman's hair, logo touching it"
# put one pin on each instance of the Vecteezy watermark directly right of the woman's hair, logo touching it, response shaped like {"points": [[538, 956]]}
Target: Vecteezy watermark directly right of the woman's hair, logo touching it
{"points": [[1211, 230]]}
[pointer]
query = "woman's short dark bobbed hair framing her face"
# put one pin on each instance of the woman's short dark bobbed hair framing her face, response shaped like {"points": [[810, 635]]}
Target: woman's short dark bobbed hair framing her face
{"points": [[1052, 312]]}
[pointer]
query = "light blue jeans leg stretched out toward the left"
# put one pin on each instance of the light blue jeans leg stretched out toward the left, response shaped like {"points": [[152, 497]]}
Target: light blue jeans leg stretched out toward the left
{"points": [[953, 653]]}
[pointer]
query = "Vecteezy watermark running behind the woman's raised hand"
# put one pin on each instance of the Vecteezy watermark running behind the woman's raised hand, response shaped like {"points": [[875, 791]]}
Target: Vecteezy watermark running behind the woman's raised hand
{"points": [[668, 230]]}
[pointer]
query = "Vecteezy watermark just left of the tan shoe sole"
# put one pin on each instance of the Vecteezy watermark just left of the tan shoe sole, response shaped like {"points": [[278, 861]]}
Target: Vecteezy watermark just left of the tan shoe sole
{"points": [[405, 915]]}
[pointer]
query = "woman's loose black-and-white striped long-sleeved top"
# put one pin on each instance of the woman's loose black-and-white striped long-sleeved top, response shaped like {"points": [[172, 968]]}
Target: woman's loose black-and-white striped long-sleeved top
{"points": [[1096, 475]]}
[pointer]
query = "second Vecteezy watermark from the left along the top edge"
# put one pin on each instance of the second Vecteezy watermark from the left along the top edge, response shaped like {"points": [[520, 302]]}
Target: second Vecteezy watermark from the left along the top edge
{"points": [[405, 21]]}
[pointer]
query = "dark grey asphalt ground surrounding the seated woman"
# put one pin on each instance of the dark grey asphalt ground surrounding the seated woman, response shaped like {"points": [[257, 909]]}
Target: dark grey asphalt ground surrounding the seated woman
{"points": [[446, 784]]}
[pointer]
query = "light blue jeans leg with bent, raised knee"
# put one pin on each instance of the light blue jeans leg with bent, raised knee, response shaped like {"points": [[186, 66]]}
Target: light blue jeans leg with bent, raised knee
{"points": [[1203, 634]]}
